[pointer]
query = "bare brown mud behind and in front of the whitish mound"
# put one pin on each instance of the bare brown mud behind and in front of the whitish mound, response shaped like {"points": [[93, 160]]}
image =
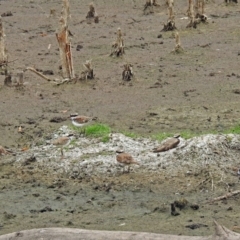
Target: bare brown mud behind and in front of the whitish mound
{"points": [[197, 90]]}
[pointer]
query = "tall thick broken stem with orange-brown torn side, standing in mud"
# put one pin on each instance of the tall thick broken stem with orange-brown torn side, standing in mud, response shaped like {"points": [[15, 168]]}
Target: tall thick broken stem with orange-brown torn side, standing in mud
{"points": [[64, 43]]}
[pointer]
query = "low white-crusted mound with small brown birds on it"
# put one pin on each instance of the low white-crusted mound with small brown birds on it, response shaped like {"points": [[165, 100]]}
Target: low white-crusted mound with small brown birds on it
{"points": [[92, 156]]}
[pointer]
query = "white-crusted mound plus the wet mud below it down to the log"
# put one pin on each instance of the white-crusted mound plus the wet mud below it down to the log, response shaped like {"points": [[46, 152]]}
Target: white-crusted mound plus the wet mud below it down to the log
{"points": [[87, 189]]}
